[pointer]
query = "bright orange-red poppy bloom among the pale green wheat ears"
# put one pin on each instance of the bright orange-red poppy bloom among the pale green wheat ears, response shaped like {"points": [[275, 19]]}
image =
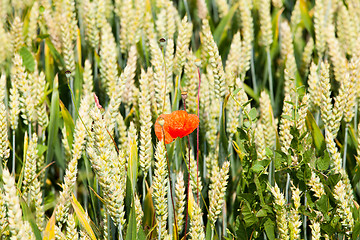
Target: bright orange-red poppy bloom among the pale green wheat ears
{"points": [[176, 124]]}
